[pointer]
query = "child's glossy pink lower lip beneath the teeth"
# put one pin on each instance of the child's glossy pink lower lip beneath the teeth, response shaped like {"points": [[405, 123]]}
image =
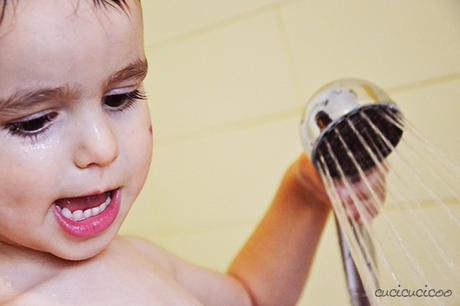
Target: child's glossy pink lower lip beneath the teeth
{"points": [[94, 225]]}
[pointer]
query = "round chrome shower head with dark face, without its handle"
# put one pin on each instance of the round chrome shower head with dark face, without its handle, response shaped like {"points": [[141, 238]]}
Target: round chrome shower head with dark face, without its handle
{"points": [[341, 118]]}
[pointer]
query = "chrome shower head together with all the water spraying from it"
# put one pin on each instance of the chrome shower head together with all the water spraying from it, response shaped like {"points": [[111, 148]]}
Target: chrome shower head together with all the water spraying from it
{"points": [[396, 198]]}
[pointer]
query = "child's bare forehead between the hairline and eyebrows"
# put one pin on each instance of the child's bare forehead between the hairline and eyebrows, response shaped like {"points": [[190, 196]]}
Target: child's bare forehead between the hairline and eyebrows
{"points": [[46, 43]]}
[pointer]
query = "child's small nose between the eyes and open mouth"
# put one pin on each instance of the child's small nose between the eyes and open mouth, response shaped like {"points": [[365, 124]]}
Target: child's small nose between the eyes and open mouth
{"points": [[97, 143]]}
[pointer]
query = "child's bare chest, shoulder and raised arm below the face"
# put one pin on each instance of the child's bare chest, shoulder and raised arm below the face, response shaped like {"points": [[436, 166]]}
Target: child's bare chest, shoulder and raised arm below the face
{"points": [[134, 271]]}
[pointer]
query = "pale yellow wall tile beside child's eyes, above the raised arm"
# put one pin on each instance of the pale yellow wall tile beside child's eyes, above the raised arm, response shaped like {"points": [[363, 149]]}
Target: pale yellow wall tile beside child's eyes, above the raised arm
{"points": [[235, 72]]}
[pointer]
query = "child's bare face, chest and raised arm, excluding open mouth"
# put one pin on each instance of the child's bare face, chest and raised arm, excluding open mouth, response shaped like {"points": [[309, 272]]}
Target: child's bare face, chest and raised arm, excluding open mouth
{"points": [[78, 142]]}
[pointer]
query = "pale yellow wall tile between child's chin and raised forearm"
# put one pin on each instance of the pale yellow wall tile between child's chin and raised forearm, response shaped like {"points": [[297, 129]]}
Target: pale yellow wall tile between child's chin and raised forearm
{"points": [[216, 180]]}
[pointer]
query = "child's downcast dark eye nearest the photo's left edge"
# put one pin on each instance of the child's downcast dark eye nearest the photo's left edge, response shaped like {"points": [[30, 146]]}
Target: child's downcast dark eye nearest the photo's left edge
{"points": [[31, 127]]}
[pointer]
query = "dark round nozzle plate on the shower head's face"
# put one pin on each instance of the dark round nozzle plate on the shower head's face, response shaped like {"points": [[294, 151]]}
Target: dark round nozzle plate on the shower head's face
{"points": [[361, 138]]}
